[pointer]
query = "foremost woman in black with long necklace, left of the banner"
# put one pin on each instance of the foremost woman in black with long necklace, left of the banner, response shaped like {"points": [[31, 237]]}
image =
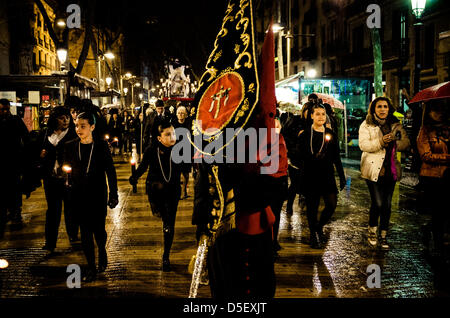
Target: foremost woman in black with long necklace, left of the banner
{"points": [[90, 159]]}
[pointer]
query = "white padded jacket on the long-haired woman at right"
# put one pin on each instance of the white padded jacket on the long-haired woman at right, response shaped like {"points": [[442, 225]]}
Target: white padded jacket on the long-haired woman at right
{"points": [[370, 142]]}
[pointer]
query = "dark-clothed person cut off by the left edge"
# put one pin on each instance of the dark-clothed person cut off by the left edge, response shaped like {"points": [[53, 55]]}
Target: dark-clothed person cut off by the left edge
{"points": [[14, 138]]}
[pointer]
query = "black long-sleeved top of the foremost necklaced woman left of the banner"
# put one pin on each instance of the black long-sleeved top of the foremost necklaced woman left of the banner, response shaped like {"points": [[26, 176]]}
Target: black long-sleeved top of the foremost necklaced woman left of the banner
{"points": [[89, 191]]}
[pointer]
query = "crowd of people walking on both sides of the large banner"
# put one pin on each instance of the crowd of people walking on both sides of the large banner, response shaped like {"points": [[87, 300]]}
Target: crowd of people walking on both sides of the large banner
{"points": [[72, 157]]}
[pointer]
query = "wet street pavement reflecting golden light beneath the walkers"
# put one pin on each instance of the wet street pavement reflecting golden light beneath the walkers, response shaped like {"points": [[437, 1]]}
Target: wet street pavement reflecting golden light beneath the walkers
{"points": [[135, 250]]}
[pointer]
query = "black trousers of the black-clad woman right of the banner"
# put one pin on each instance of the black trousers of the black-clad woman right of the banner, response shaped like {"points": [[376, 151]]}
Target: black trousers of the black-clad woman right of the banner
{"points": [[312, 200]]}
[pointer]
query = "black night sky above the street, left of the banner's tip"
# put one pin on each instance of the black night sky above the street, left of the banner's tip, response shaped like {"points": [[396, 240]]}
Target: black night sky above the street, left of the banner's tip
{"points": [[158, 30]]}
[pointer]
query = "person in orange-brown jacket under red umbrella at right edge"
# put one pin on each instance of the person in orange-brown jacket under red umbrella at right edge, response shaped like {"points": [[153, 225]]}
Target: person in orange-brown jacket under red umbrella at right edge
{"points": [[433, 146]]}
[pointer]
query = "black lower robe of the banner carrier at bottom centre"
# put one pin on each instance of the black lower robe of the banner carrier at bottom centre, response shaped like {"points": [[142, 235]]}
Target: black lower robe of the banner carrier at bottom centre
{"points": [[242, 266]]}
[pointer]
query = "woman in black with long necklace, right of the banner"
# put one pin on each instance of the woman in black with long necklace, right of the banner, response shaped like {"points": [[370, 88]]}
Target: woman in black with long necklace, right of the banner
{"points": [[320, 152]]}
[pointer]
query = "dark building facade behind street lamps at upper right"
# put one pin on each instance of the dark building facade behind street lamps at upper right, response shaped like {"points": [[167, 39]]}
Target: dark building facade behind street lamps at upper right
{"points": [[332, 38]]}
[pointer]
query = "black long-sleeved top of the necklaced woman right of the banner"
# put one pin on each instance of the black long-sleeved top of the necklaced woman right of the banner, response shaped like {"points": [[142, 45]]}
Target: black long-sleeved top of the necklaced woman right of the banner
{"points": [[319, 169]]}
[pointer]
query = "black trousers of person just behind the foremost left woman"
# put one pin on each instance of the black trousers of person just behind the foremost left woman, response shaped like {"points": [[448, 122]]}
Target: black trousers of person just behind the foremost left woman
{"points": [[56, 194]]}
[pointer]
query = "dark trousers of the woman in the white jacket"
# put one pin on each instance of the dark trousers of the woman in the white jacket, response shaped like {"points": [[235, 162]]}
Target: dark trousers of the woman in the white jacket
{"points": [[381, 197]]}
